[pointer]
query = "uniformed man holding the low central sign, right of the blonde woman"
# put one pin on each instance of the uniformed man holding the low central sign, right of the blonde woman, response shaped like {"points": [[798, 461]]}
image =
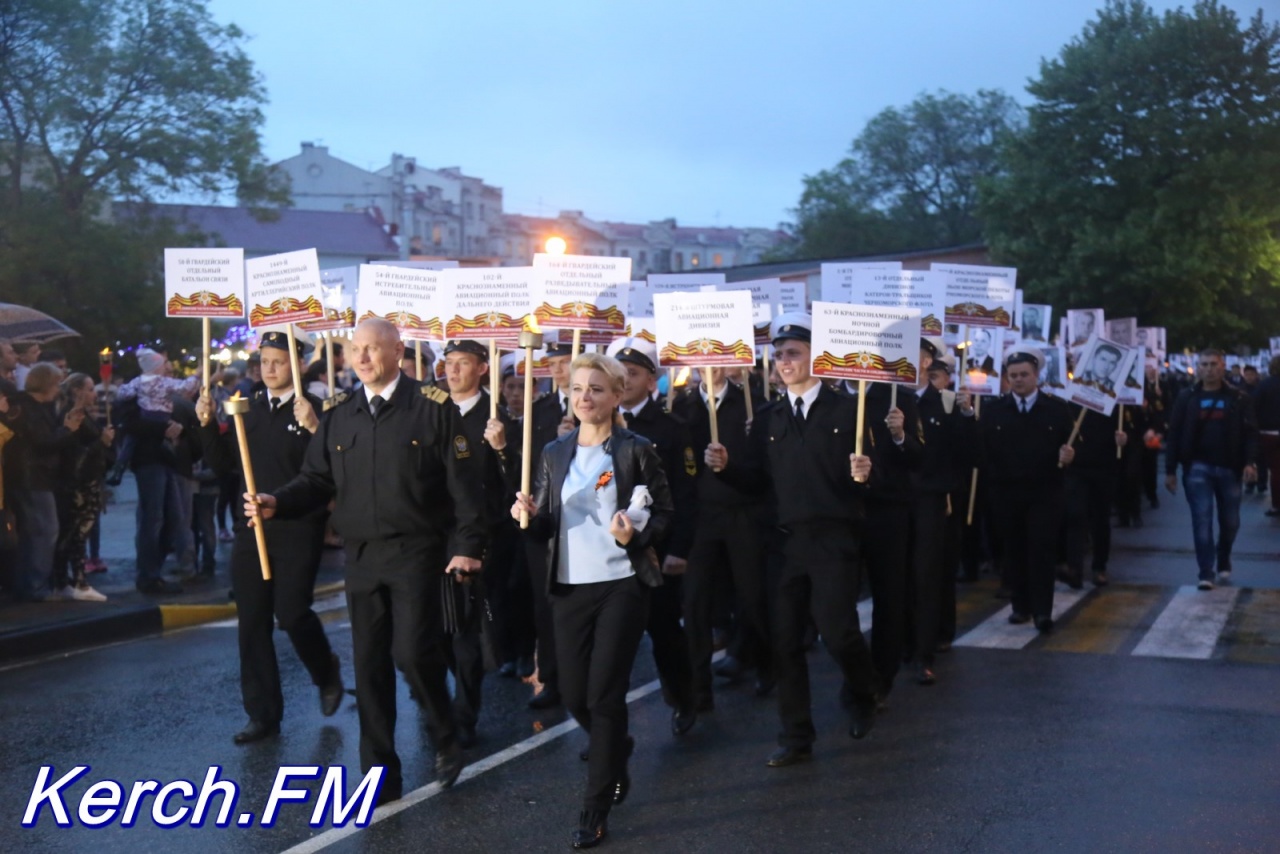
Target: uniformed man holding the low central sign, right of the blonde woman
{"points": [[732, 531]]}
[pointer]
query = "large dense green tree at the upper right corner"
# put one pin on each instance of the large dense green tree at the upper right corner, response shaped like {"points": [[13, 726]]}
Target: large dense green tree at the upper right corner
{"points": [[1149, 177]]}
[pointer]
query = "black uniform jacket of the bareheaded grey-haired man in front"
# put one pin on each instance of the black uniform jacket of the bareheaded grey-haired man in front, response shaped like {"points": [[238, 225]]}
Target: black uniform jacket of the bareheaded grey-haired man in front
{"points": [[410, 473]]}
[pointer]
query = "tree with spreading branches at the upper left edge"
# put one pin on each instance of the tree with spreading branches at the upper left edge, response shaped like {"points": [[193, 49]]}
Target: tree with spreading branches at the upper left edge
{"points": [[117, 101]]}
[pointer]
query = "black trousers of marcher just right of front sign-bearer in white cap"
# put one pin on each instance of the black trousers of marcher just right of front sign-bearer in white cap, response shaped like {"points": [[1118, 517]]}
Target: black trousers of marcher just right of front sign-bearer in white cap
{"points": [[886, 537]]}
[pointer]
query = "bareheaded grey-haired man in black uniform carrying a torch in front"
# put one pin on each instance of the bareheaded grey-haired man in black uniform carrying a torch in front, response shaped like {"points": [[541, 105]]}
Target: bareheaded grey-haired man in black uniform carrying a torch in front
{"points": [[408, 490]]}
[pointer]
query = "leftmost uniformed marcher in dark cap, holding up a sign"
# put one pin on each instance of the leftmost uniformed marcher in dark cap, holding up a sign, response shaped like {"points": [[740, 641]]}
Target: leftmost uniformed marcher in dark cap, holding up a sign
{"points": [[278, 427]]}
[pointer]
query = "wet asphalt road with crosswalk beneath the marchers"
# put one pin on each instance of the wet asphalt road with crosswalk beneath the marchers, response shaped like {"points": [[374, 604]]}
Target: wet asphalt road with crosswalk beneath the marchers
{"points": [[1150, 721]]}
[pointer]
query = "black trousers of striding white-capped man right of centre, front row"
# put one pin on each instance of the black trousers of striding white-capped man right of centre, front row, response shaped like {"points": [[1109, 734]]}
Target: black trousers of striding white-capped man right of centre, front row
{"points": [[820, 583]]}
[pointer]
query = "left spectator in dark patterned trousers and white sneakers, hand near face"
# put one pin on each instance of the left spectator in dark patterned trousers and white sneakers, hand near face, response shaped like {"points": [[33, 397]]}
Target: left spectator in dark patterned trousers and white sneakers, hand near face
{"points": [[80, 490]]}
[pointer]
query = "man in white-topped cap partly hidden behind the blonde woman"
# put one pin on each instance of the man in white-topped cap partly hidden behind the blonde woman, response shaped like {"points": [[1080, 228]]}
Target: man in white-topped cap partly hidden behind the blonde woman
{"points": [[670, 439]]}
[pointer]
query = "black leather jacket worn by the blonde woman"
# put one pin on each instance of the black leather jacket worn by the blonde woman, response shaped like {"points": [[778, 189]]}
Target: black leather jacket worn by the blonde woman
{"points": [[636, 464]]}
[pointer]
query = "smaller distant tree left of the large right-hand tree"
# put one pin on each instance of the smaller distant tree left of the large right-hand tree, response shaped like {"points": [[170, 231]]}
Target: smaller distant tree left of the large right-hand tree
{"points": [[911, 180]]}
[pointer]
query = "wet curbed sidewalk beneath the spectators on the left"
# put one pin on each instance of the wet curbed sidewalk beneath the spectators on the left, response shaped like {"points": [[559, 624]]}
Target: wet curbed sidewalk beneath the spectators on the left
{"points": [[40, 629]]}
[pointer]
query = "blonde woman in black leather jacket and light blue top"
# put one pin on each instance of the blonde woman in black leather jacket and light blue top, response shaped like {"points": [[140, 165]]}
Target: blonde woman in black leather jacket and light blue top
{"points": [[589, 505]]}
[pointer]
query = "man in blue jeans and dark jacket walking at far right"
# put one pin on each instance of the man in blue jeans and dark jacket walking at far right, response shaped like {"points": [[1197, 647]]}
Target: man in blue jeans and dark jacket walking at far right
{"points": [[1214, 439]]}
